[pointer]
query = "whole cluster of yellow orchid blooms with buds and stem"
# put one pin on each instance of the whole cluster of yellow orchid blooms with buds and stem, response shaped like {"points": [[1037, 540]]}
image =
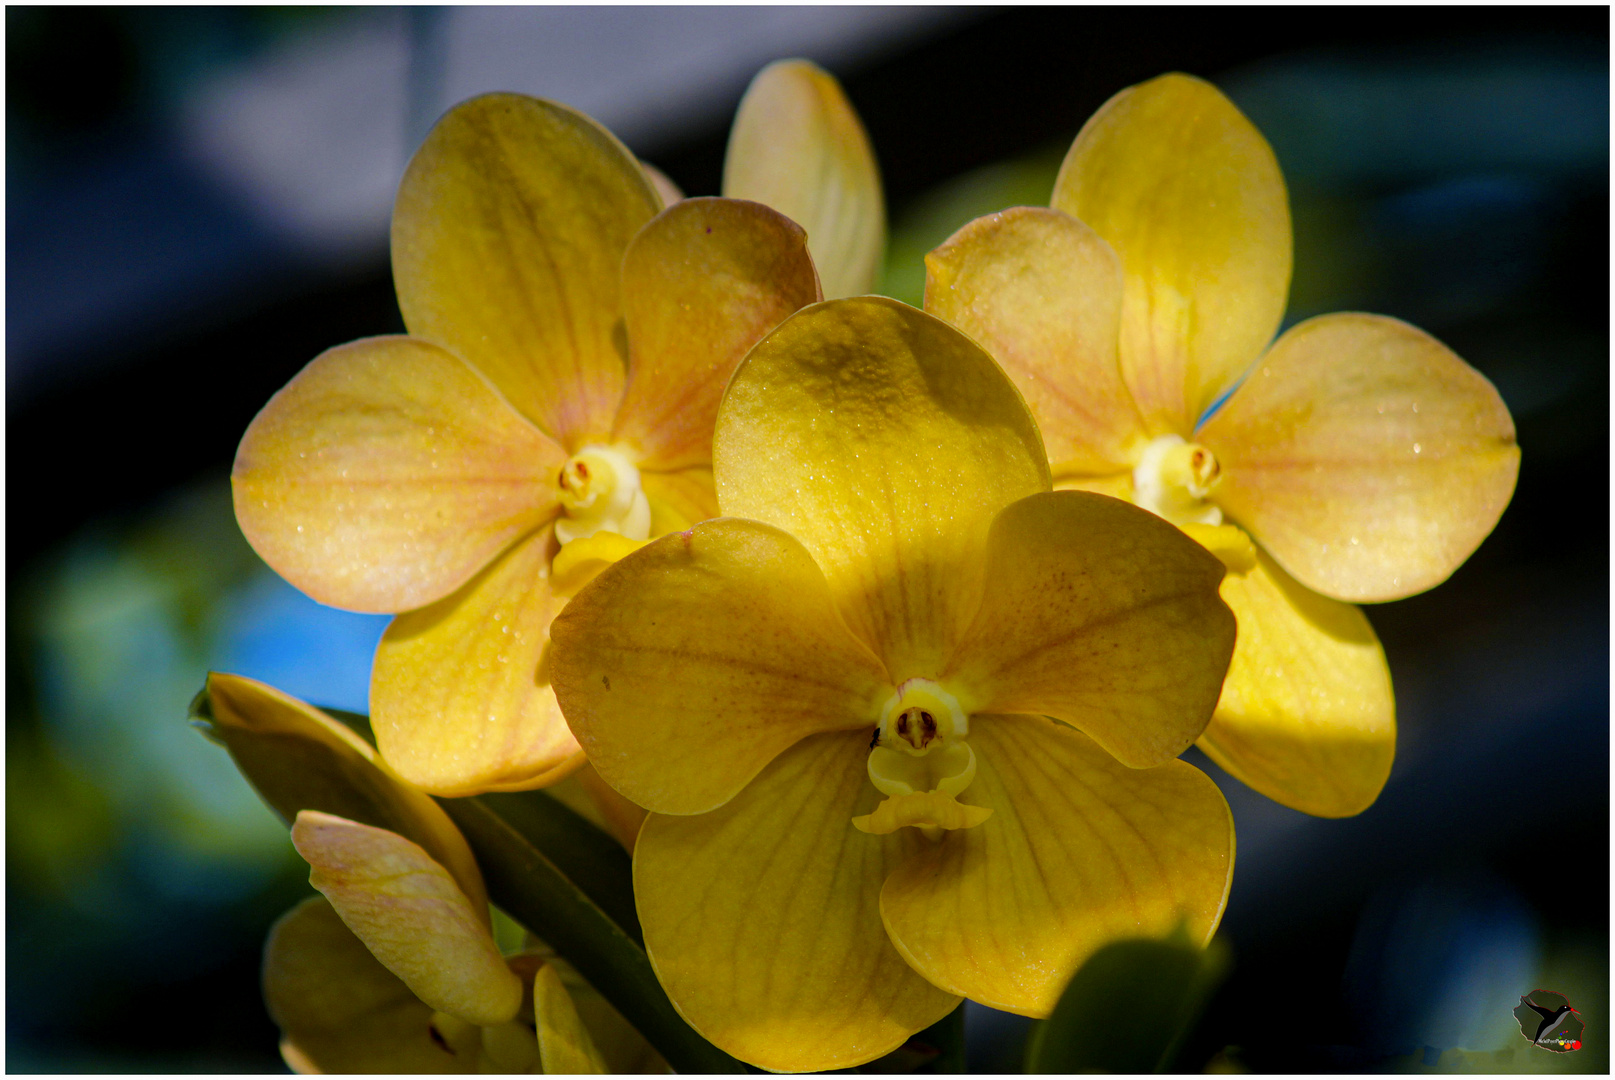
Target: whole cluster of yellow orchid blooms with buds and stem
{"points": [[787, 664]]}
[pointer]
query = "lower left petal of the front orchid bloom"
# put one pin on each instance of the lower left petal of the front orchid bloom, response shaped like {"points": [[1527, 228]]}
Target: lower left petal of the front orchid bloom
{"points": [[763, 918]]}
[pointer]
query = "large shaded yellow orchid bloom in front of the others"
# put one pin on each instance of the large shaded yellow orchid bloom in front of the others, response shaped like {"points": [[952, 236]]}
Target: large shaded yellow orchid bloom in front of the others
{"points": [[837, 705]]}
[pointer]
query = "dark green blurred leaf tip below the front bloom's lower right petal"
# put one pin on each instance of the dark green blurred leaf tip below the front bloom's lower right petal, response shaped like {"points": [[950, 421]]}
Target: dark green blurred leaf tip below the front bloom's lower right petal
{"points": [[1128, 1010]]}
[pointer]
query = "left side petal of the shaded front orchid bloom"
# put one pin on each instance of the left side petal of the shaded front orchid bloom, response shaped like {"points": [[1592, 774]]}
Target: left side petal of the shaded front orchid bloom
{"points": [[692, 664]]}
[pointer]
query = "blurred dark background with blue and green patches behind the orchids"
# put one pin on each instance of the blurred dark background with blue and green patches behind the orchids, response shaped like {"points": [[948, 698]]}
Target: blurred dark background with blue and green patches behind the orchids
{"points": [[198, 206]]}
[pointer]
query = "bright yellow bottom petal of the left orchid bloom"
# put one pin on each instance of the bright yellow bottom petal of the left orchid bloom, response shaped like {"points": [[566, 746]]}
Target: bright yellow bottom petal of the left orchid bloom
{"points": [[459, 693]]}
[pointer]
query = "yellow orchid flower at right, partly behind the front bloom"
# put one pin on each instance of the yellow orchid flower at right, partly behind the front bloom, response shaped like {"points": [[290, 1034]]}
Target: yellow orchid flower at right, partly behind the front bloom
{"points": [[1354, 459]]}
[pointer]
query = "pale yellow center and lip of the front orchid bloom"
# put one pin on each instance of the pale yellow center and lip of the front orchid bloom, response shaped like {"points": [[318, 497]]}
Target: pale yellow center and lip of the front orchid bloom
{"points": [[921, 763]]}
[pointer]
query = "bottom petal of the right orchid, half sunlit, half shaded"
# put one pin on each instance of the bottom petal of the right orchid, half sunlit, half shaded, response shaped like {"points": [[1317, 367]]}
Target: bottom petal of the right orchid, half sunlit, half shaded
{"points": [[1307, 714]]}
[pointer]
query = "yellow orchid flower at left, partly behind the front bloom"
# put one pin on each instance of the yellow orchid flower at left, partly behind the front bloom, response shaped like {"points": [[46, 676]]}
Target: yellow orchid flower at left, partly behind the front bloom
{"points": [[550, 411]]}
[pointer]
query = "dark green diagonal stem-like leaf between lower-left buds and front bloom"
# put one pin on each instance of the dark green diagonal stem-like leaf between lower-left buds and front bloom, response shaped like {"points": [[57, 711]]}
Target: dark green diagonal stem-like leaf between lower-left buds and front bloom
{"points": [[534, 890]]}
